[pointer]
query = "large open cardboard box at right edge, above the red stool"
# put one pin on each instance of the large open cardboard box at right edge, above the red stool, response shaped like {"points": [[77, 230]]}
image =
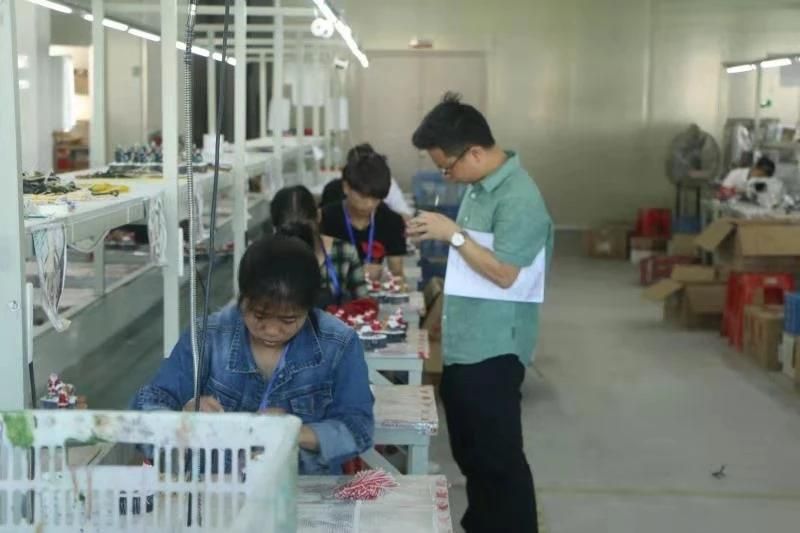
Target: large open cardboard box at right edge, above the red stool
{"points": [[753, 246]]}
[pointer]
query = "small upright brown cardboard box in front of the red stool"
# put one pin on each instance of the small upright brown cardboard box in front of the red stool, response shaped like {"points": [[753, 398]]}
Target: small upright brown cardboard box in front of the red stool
{"points": [[763, 332]]}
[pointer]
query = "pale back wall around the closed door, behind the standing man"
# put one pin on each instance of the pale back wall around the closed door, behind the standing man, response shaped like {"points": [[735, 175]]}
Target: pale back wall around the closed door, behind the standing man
{"points": [[591, 91]]}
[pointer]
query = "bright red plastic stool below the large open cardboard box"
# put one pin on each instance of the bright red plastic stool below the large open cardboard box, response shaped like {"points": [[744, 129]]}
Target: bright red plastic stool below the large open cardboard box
{"points": [[742, 291]]}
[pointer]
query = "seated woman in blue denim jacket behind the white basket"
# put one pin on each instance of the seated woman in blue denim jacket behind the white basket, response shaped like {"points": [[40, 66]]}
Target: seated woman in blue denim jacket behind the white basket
{"points": [[274, 353]]}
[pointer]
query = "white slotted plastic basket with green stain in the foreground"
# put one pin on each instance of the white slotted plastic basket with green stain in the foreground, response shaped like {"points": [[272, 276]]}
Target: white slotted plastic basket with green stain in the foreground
{"points": [[245, 478]]}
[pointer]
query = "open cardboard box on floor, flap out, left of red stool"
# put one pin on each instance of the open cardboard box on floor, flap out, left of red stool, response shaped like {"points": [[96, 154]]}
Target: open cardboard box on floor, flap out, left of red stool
{"points": [[693, 297]]}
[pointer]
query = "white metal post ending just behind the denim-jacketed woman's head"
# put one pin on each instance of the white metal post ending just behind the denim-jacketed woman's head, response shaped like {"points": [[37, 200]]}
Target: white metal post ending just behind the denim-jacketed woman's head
{"points": [[240, 137]]}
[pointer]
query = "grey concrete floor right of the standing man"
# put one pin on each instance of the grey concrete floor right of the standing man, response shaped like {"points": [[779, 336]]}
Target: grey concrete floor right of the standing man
{"points": [[626, 419]]}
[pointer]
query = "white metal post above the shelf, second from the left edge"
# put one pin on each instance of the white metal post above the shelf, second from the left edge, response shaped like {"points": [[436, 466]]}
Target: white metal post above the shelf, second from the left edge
{"points": [[97, 125]]}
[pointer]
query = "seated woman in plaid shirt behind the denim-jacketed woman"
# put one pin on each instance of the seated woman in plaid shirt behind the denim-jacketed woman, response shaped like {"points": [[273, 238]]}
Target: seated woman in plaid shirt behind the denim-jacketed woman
{"points": [[294, 212]]}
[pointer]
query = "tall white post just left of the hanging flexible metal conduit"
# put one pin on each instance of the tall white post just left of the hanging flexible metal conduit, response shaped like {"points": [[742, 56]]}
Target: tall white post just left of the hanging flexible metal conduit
{"points": [[169, 125]]}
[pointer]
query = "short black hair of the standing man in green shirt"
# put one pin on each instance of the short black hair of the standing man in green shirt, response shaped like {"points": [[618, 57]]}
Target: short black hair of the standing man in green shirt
{"points": [[453, 126]]}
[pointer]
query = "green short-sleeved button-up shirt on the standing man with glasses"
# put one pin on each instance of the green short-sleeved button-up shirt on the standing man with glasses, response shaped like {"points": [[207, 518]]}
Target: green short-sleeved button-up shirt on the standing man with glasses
{"points": [[507, 204]]}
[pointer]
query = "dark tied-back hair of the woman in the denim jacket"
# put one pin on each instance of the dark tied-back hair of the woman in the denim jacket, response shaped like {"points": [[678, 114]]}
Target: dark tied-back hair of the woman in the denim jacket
{"points": [[279, 271]]}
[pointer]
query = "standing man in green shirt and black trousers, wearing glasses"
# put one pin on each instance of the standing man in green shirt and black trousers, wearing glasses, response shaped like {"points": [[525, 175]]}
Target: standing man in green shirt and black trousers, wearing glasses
{"points": [[487, 343]]}
